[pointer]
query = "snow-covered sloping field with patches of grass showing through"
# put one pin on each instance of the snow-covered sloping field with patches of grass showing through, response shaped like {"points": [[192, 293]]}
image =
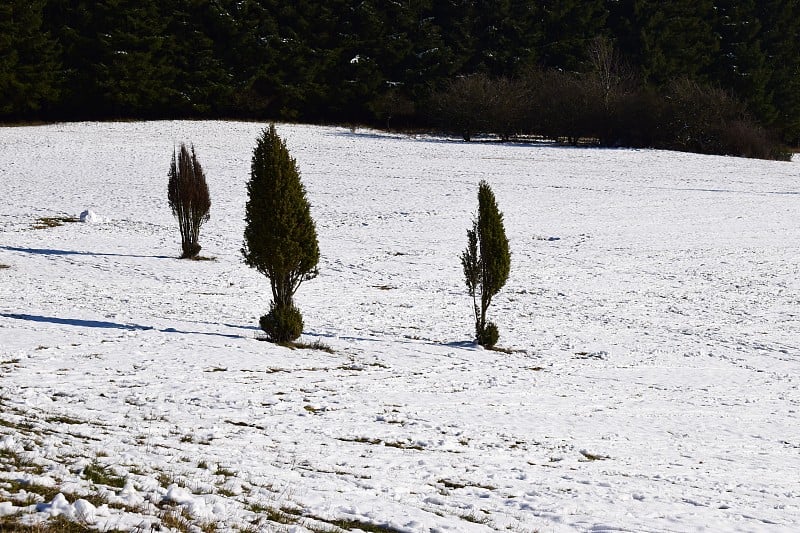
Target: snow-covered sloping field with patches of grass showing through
{"points": [[652, 313]]}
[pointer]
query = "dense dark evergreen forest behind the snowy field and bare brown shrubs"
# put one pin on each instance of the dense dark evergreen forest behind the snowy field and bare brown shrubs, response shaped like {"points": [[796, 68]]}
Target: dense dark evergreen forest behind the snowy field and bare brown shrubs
{"points": [[368, 61]]}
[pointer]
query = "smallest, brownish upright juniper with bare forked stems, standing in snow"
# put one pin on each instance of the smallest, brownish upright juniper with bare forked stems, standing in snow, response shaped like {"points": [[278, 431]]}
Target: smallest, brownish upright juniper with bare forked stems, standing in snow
{"points": [[187, 192]]}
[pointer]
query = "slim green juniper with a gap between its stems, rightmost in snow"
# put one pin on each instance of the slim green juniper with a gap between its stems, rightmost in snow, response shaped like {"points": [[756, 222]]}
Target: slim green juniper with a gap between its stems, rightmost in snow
{"points": [[486, 262]]}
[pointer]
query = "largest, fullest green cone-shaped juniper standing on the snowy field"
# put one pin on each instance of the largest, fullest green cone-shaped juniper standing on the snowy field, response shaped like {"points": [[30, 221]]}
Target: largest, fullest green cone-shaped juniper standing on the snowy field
{"points": [[280, 238]]}
